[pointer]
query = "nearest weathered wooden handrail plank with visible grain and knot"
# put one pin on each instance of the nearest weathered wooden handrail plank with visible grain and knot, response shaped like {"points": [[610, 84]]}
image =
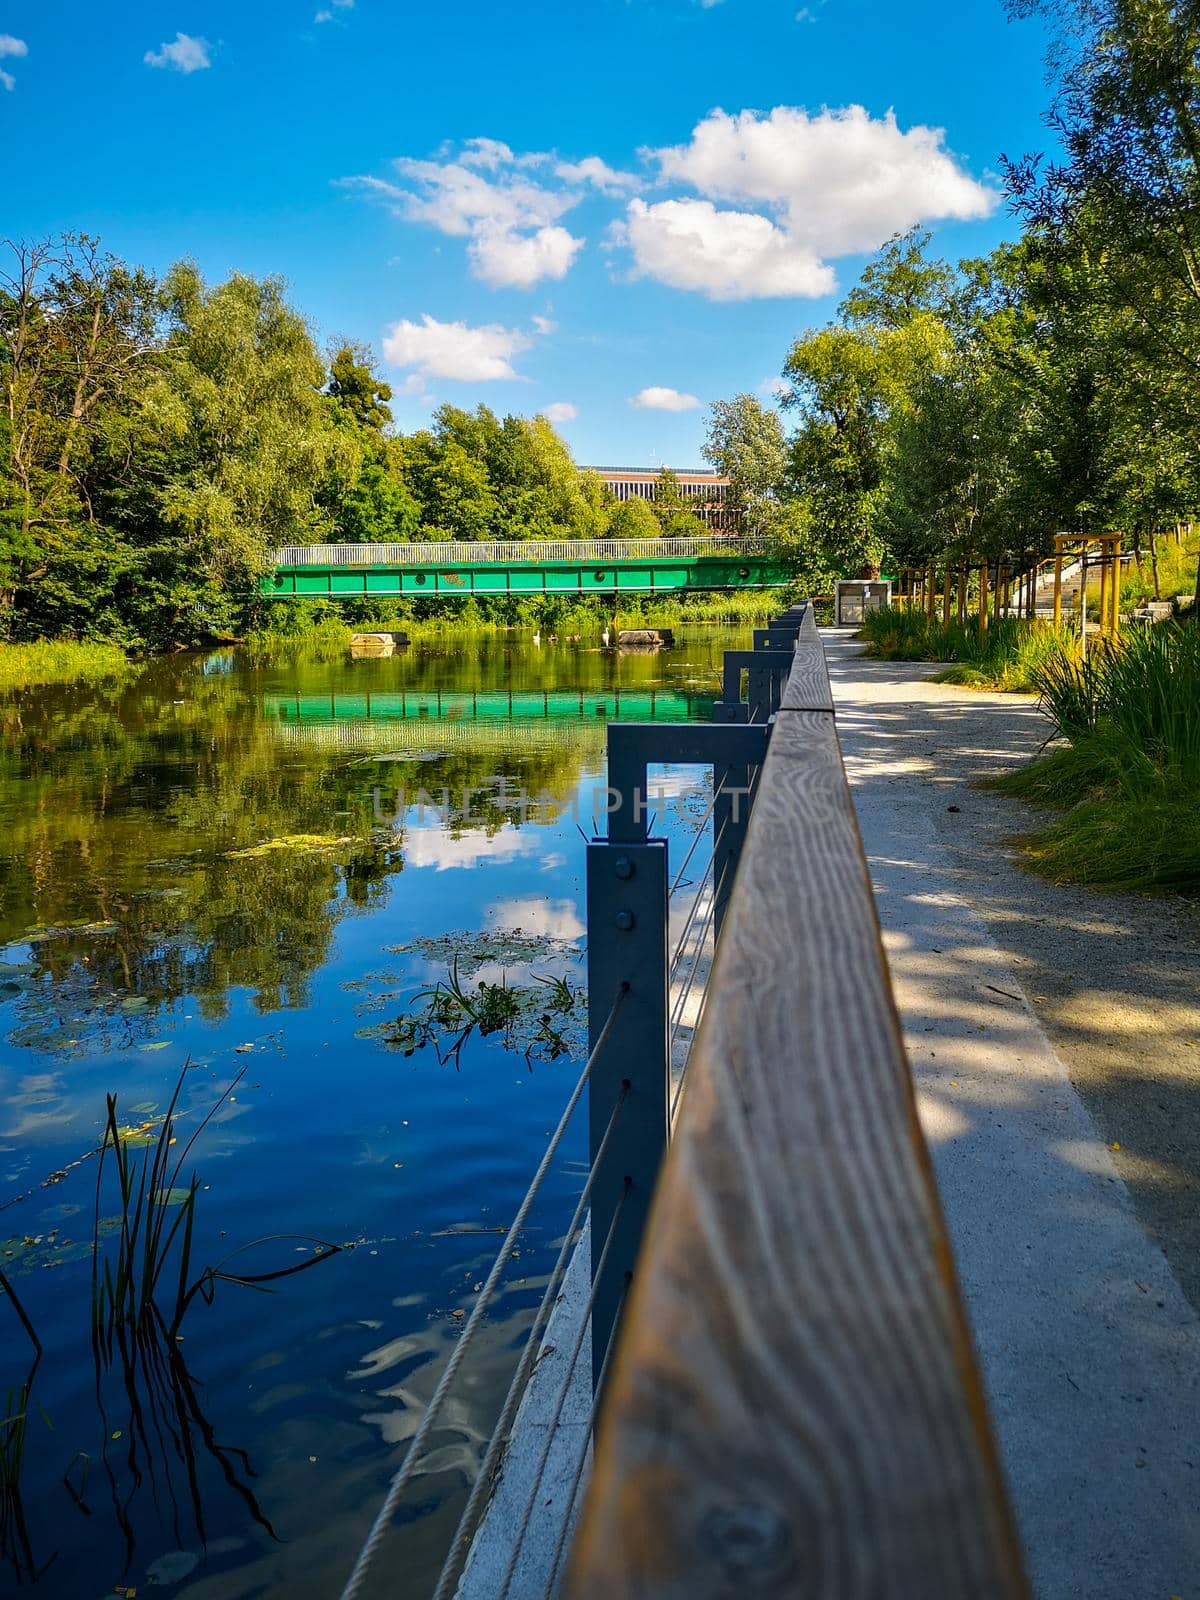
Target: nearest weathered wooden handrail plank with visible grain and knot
{"points": [[794, 1409]]}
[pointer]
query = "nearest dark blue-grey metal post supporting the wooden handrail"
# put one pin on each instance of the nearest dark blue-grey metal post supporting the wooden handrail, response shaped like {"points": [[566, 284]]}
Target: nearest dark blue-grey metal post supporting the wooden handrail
{"points": [[626, 954]]}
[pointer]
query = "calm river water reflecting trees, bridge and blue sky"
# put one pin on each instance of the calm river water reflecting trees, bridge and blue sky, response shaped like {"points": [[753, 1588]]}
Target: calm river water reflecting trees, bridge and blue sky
{"points": [[220, 876]]}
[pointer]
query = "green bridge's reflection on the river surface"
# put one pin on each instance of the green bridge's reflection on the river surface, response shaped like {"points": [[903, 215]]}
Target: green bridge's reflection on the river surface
{"points": [[474, 719]]}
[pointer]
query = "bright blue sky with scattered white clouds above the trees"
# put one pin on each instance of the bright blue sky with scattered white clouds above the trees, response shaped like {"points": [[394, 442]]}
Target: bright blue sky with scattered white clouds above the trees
{"points": [[602, 209]]}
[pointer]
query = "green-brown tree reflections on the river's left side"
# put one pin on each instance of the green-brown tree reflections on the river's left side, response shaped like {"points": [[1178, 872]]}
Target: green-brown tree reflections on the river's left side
{"points": [[122, 807]]}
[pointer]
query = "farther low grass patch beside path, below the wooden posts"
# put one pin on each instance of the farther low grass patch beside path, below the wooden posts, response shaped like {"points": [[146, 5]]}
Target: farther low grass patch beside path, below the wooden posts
{"points": [[1004, 657]]}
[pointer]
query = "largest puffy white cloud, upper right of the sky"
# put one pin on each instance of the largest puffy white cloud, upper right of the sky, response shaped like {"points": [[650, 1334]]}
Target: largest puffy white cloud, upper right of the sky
{"points": [[841, 180]]}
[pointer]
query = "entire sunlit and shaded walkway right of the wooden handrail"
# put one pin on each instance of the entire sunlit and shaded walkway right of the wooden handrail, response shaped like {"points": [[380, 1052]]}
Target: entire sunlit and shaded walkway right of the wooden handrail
{"points": [[1054, 1039]]}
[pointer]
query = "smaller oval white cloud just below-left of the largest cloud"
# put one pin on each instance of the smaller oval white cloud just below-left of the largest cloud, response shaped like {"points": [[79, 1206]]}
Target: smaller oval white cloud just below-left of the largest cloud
{"points": [[726, 255]]}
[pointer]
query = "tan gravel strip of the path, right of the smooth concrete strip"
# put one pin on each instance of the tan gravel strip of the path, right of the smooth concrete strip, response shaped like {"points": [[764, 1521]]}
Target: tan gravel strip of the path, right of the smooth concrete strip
{"points": [[1113, 978]]}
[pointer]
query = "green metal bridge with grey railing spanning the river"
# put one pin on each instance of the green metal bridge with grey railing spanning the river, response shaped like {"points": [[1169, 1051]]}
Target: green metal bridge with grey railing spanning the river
{"points": [[551, 567]]}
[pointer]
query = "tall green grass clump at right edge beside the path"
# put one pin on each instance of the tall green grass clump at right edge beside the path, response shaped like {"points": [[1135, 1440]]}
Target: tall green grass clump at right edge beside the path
{"points": [[1129, 780]]}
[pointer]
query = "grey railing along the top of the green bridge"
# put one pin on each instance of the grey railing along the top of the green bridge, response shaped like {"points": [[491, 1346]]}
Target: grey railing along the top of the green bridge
{"points": [[484, 553]]}
